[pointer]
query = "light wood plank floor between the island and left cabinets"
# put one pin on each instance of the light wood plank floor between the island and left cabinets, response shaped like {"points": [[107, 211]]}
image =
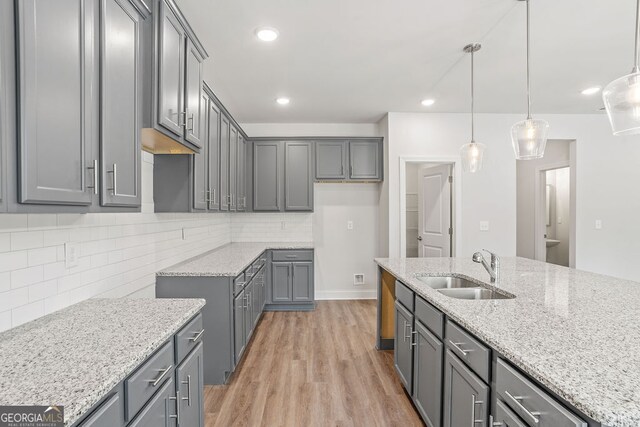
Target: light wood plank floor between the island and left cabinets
{"points": [[319, 368]]}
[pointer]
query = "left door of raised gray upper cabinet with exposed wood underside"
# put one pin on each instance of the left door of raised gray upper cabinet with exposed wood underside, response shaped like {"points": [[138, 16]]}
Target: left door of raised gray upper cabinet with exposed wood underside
{"points": [[171, 54]]}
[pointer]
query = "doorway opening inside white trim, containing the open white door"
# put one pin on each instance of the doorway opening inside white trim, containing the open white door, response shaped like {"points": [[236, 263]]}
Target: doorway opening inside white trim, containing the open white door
{"points": [[429, 214]]}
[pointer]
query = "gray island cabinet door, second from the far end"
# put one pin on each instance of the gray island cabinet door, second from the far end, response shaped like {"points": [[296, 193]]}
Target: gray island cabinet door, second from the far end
{"points": [[427, 375]]}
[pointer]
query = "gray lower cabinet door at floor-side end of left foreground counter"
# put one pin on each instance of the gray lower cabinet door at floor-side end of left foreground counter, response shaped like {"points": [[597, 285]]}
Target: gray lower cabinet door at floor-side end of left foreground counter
{"points": [[190, 386]]}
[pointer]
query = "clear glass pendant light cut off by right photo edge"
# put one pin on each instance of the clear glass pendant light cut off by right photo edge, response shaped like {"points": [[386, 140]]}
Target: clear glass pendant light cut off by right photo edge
{"points": [[622, 96]]}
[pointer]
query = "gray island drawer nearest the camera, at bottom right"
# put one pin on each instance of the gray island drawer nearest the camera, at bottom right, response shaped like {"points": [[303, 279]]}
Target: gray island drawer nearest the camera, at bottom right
{"points": [[530, 402]]}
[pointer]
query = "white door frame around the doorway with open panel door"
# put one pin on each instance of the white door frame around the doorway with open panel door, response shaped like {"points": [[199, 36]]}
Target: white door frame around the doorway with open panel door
{"points": [[456, 198]]}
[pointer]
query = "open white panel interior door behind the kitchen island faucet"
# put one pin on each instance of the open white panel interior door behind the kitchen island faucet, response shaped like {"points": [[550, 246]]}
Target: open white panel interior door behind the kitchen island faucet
{"points": [[435, 230]]}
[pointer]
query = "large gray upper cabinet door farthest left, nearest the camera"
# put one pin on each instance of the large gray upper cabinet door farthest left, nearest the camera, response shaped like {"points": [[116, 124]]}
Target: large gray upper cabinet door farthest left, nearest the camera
{"points": [[57, 101]]}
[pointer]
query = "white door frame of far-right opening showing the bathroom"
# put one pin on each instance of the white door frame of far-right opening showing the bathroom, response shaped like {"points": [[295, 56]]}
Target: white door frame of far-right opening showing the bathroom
{"points": [[539, 243]]}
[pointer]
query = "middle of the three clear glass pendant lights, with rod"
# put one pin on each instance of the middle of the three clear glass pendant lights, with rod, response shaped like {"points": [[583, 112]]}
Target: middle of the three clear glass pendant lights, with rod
{"points": [[529, 137]]}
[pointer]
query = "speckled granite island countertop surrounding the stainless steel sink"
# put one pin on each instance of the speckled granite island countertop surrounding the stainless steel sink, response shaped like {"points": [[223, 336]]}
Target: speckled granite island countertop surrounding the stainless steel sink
{"points": [[578, 333]]}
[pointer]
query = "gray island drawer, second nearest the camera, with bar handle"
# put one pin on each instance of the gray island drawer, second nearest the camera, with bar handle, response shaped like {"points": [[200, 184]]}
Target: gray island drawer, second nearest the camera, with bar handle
{"points": [[469, 350]]}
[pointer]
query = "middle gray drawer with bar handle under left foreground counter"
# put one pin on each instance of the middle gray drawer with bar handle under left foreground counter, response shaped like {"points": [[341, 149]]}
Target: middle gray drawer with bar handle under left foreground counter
{"points": [[148, 379]]}
